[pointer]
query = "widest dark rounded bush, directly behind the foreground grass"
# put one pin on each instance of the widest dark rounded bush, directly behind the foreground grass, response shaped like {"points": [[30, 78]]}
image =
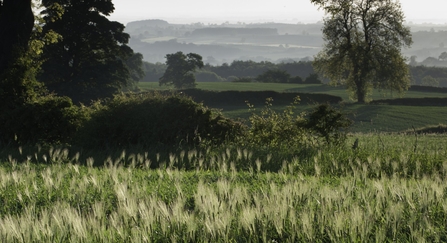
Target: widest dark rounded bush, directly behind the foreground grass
{"points": [[152, 119]]}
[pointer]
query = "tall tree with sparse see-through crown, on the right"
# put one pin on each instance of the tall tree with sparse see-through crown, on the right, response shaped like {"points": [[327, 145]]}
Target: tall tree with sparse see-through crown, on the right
{"points": [[363, 42]]}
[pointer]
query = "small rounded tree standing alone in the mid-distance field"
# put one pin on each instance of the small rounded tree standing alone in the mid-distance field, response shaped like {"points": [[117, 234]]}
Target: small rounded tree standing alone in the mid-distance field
{"points": [[180, 70]]}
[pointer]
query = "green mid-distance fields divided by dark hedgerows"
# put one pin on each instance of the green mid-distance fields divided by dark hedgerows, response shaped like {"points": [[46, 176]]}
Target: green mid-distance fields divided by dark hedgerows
{"points": [[368, 118]]}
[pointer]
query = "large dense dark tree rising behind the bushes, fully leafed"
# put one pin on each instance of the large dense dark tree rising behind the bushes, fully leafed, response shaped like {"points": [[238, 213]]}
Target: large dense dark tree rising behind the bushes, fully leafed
{"points": [[93, 59]]}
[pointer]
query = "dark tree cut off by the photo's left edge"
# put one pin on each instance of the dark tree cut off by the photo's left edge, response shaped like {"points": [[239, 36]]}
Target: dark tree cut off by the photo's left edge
{"points": [[17, 54]]}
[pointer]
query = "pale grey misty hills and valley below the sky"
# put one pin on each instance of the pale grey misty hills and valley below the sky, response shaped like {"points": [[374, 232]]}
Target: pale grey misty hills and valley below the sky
{"points": [[269, 41]]}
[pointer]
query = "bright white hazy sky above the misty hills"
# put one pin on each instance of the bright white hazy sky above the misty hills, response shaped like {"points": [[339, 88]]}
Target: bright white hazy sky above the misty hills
{"points": [[290, 11]]}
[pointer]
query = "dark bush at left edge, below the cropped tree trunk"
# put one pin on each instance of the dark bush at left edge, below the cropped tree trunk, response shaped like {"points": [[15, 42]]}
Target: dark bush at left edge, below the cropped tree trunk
{"points": [[48, 119]]}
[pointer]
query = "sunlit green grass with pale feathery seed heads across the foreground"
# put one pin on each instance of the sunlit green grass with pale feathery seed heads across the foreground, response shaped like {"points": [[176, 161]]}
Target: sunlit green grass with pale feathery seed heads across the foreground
{"points": [[390, 189]]}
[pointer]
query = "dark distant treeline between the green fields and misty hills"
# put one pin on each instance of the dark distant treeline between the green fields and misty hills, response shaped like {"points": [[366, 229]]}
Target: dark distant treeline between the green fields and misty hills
{"points": [[303, 69]]}
